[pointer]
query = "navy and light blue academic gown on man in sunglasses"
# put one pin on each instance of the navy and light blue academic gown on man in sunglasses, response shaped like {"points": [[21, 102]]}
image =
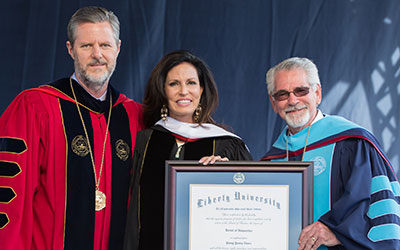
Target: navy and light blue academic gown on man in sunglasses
{"points": [[356, 192]]}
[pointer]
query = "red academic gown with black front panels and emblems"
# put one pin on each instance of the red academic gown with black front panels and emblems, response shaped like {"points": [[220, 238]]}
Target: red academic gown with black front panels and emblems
{"points": [[47, 198]]}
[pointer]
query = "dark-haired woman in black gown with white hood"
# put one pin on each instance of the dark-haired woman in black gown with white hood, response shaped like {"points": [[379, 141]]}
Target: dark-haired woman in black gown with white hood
{"points": [[180, 97]]}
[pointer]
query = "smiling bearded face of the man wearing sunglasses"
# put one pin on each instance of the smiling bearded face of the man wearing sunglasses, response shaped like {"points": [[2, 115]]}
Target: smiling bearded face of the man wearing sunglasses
{"points": [[298, 112]]}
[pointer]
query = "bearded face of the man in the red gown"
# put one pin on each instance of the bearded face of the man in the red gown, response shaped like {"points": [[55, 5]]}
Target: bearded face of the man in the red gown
{"points": [[95, 53]]}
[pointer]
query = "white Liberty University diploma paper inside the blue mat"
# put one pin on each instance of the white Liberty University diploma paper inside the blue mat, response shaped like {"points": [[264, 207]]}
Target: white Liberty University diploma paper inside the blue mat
{"points": [[238, 217]]}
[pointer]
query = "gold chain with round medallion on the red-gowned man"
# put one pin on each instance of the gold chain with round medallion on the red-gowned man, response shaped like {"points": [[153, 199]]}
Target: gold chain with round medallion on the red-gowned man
{"points": [[100, 197]]}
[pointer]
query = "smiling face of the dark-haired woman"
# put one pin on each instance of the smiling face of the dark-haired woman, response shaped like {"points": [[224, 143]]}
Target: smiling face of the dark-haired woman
{"points": [[183, 90]]}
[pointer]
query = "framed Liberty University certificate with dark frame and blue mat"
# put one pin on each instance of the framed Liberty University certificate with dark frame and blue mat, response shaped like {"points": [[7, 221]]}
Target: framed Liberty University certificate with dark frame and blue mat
{"points": [[242, 205]]}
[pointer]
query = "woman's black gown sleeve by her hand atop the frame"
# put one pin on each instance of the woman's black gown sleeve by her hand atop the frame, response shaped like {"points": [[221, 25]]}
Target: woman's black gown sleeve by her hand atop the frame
{"points": [[232, 148]]}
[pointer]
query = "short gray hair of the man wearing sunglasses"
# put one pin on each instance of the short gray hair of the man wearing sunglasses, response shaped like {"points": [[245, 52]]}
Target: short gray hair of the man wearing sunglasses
{"points": [[294, 63]]}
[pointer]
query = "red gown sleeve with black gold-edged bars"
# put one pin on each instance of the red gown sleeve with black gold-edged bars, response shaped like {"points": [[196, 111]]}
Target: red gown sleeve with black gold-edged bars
{"points": [[35, 177]]}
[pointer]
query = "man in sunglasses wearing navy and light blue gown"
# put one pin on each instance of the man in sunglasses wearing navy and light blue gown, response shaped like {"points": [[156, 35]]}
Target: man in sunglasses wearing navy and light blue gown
{"points": [[356, 192]]}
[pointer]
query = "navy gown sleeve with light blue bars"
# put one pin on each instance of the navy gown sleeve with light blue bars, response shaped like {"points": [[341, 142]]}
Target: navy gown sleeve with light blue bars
{"points": [[364, 213]]}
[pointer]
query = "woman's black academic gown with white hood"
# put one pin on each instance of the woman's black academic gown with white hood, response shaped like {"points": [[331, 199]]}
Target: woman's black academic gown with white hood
{"points": [[153, 147]]}
